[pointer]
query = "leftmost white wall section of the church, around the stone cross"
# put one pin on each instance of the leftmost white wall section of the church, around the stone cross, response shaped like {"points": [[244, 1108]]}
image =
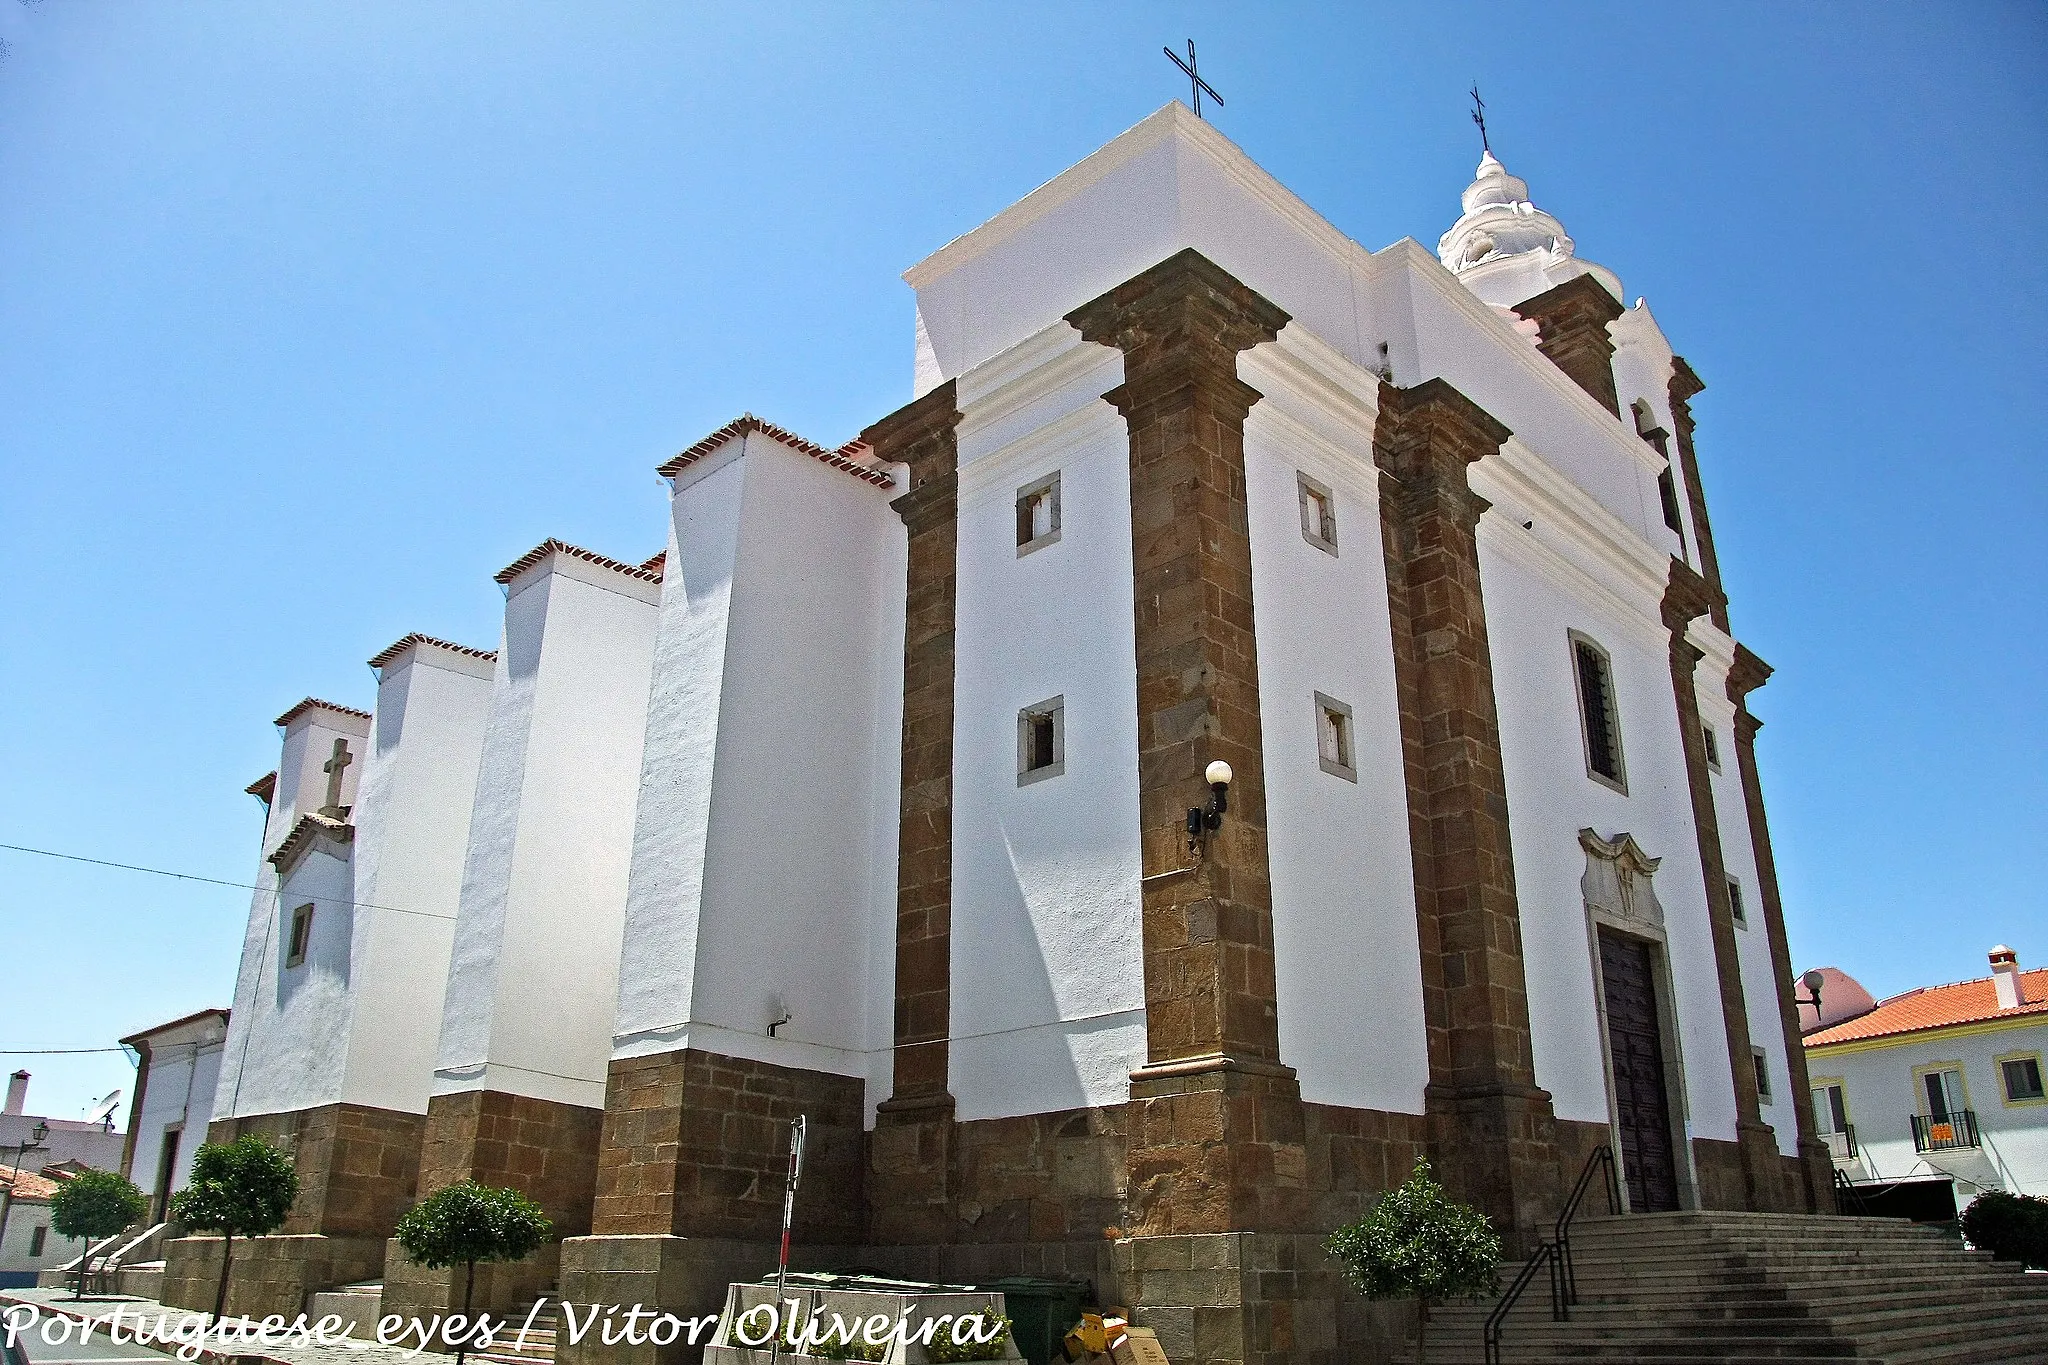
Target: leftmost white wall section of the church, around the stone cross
{"points": [[288, 1037]]}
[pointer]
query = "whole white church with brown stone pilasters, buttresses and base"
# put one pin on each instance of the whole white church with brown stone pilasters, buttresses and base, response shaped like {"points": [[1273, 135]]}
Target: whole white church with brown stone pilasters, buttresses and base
{"points": [[880, 795]]}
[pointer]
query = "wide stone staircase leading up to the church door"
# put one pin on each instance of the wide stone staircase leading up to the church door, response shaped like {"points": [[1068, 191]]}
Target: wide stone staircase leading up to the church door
{"points": [[1717, 1288]]}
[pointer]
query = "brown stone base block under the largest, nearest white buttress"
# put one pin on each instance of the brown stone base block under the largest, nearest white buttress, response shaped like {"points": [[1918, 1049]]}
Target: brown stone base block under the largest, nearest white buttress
{"points": [[697, 1145]]}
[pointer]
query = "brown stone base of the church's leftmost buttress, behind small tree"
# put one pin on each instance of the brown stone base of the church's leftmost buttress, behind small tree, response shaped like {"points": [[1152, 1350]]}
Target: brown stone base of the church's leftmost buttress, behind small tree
{"points": [[357, 1165]]}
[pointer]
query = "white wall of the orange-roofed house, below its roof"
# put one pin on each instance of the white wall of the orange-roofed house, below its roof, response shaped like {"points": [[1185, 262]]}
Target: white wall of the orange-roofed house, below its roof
{"points": [[1883, 1094]]}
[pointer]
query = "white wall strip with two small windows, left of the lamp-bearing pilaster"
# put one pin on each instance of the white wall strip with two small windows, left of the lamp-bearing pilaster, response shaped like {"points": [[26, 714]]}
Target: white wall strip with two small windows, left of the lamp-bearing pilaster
{"points": [[1048, 951]]}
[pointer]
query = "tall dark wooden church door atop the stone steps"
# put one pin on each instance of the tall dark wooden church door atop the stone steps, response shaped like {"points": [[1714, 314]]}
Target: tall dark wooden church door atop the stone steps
{"points": [[1641, 1098]]}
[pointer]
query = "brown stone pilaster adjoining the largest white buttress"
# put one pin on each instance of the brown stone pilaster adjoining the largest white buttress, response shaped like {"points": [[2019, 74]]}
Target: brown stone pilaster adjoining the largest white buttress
{"points": [[912, 1149]]}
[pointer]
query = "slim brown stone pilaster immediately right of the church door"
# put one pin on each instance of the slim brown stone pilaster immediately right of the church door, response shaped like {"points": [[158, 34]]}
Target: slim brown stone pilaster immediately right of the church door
{"points": [[1689, 597]]}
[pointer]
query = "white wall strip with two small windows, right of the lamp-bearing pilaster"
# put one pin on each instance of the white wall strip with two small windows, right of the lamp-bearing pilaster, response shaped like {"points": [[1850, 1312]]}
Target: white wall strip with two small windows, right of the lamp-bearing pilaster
{"points": [[1345, 883]]}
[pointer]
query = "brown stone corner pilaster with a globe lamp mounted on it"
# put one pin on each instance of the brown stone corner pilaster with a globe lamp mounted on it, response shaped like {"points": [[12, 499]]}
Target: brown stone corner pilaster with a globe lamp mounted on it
{"points": [[1215, 1118]]}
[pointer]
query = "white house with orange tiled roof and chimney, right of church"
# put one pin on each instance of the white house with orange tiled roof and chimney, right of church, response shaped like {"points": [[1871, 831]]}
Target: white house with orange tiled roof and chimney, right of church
{"points": [[1938, 1082]]}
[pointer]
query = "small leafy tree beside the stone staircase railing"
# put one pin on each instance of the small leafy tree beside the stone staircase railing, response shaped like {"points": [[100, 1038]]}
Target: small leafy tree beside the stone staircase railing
{"points": [[1420, 1245]]}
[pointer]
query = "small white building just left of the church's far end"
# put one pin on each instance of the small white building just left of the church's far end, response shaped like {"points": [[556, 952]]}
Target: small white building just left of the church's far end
{"points": [[177, 1073]]}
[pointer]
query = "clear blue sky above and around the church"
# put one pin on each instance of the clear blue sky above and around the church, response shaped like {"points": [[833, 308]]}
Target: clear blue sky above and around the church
{"points": [[316, 316]]}
